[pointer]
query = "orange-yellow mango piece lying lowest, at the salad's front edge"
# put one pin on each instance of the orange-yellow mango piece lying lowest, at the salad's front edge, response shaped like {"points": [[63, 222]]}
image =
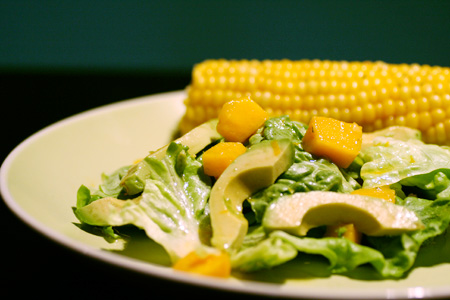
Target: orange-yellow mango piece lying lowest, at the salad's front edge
{"points": [[217, 265]]}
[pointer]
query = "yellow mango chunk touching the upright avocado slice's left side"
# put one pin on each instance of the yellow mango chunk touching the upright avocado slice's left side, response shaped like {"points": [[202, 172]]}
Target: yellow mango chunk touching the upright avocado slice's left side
{"points": [[217, 158]]}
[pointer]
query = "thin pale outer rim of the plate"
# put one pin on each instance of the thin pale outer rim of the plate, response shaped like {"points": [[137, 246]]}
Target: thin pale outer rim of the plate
{"points": [[232, 285]]}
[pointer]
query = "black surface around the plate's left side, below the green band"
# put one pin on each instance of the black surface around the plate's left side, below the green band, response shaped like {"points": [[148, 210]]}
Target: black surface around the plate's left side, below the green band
{"points": [[32, 262]]}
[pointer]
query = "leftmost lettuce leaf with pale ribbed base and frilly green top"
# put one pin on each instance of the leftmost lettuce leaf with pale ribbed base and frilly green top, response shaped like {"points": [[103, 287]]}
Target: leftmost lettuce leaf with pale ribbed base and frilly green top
{"points": [[170, 209]]}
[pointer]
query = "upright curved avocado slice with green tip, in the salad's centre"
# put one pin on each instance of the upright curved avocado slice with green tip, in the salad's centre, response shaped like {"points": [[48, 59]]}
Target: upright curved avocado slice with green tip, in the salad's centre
{"points": [[257, 168]]}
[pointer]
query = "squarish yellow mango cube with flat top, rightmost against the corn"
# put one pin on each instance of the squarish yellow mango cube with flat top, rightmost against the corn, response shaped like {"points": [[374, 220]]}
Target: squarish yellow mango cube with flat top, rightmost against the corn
{"points": [[338, 141]]}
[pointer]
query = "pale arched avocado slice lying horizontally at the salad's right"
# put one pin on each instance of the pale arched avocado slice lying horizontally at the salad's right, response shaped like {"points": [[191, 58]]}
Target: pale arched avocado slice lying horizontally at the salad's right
{"points": [[300, 212]]}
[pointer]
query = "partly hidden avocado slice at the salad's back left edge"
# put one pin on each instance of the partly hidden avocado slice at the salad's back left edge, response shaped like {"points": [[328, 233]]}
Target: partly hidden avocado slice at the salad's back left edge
{"points": [[196, 139]]}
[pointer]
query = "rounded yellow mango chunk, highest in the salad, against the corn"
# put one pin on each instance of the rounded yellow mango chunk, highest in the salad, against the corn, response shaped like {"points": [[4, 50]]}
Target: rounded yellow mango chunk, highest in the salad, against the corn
{"points": [[239, 119]]}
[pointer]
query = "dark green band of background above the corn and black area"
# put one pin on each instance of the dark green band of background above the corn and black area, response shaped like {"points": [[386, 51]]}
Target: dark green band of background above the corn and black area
{"points": [[170, 36]]}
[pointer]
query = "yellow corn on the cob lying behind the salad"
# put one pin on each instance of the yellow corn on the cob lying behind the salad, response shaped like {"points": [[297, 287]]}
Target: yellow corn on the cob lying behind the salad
{"points": [[373, 94]]}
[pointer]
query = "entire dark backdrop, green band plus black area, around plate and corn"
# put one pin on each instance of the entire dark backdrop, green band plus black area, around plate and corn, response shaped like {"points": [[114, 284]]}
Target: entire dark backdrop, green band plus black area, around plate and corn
{"points": [[59, 58]]}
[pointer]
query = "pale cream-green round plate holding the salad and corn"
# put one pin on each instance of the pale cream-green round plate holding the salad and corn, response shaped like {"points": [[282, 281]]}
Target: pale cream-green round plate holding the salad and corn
{"points": [[39, 180]]}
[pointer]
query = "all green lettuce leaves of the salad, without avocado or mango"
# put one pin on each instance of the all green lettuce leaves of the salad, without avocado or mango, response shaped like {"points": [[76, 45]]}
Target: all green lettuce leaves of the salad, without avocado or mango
{"points": [[173, 207]]}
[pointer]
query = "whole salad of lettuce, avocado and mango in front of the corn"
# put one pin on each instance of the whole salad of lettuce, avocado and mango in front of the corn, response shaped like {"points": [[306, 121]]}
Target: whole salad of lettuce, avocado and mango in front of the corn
{"points": [[248, 192]]}
